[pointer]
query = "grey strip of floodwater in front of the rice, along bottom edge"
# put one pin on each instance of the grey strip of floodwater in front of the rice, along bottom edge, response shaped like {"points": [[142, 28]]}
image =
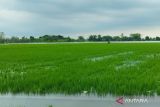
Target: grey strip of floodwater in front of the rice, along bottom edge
{"points": [[76, 101]]}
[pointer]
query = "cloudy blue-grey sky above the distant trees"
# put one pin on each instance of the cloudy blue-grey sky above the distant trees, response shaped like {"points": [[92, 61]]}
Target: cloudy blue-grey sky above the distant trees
{"points": [[79, 17]]}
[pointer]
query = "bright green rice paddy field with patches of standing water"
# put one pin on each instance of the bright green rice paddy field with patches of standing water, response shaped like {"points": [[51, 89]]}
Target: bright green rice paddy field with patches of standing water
{"points": [[93, 68]]}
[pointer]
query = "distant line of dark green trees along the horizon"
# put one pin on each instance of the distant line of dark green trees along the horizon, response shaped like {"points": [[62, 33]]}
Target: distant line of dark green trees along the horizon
{"points": [[60, 38]]}
